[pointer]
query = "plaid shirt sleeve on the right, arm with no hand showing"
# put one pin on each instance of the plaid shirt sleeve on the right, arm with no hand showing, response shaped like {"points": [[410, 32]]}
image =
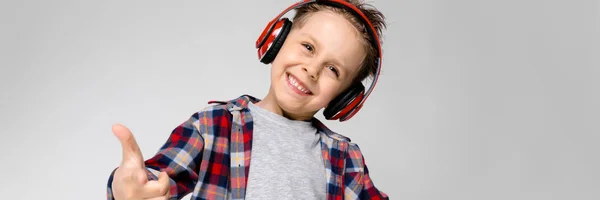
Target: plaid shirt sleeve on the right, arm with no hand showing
{"points": [[358, 183]]}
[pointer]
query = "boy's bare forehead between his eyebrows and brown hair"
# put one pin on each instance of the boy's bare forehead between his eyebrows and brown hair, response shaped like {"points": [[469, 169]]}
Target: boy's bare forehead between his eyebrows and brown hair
{"points": [[336, 37]]}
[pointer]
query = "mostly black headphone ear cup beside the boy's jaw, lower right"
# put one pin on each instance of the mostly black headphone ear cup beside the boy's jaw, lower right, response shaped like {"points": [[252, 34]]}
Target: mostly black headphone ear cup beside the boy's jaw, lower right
{"points": [[344, 102]]}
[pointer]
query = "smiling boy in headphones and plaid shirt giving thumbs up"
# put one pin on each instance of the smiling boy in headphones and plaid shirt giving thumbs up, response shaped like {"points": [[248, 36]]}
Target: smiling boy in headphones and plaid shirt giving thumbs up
{"points": [[274, 148]]}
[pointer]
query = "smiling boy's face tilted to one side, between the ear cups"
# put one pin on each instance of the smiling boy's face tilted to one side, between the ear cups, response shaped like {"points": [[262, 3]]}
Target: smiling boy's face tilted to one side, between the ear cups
{"points": [[316, 63]]}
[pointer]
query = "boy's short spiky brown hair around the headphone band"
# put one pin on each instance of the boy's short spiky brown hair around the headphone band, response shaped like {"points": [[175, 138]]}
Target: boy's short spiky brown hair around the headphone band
{"points": [[377, 19]]}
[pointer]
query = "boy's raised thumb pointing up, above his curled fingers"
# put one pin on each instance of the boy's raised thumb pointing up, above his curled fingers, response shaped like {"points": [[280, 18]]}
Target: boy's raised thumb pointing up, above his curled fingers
{"points": [[131, 151]]}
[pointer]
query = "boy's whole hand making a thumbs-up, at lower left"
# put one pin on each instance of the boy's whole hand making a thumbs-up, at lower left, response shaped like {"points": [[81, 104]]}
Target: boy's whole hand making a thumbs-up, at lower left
{"points": [[130, 180]]}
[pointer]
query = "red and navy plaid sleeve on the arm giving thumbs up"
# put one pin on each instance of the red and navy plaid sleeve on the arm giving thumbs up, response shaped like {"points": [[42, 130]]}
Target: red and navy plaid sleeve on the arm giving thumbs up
{"points": [[180, 156]]}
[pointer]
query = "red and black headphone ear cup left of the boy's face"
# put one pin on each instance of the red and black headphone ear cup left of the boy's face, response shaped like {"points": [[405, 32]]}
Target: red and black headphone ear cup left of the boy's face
{"points": [[274, 45]]}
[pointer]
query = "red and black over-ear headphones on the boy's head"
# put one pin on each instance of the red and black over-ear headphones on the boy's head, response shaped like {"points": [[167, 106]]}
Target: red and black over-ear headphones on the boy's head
{"points": [[349, 102]]}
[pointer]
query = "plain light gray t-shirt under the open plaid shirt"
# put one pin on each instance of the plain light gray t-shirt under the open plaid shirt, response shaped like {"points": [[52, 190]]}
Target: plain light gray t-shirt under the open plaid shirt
{"points": [[286, 161]]}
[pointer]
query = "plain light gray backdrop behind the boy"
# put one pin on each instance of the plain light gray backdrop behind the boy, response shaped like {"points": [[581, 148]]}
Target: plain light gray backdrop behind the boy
{"points": [[478, 99]]}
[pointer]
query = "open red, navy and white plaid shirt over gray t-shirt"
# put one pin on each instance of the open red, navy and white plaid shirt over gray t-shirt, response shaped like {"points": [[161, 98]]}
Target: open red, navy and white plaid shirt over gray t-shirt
{"points": [[209, 155]]}
